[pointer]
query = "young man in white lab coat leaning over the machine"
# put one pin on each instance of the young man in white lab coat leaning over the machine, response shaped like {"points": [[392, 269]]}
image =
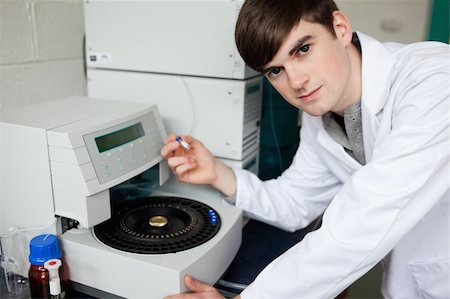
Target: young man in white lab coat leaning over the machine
{"points": [[373, 157]]}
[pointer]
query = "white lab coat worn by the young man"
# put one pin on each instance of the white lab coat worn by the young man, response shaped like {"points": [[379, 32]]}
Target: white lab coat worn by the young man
{"points": [[394, 208]]}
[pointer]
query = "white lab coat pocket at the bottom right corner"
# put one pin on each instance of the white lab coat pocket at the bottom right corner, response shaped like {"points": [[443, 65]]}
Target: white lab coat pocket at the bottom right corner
{"points": [[432, 278]]}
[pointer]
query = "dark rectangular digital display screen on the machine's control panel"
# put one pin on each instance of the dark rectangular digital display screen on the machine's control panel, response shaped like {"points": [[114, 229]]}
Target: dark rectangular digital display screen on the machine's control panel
{"points": [[117, 138]]}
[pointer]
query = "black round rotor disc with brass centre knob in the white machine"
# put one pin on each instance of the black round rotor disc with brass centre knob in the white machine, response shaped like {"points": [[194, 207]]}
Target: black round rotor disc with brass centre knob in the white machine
{"points": [[158, 225]]}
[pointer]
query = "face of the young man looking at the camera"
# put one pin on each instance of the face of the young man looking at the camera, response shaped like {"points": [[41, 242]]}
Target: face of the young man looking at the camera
{"points": [[316, 71]]}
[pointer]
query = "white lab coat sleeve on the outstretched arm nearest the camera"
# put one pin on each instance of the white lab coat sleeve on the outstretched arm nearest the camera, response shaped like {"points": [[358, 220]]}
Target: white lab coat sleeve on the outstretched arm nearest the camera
{"points": [[380, 203]]}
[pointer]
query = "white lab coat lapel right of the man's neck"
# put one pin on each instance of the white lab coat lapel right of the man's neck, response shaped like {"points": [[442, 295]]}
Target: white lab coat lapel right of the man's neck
{"points": [[377, 64]]}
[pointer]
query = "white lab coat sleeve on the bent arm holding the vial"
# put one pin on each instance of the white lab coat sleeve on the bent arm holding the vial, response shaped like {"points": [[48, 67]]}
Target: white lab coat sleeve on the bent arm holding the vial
{"points": [[294, 199]]}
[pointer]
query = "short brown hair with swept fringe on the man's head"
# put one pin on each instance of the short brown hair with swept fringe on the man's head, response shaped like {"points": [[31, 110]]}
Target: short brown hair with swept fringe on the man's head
{"points": [[263, 25]]}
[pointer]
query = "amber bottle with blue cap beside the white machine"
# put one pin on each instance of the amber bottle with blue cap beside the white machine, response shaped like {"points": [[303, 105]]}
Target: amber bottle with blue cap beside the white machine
{"points": [[42, 248]]}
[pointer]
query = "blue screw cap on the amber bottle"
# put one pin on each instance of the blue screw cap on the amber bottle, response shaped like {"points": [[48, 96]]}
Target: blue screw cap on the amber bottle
{"points": [[43, 248]]}
